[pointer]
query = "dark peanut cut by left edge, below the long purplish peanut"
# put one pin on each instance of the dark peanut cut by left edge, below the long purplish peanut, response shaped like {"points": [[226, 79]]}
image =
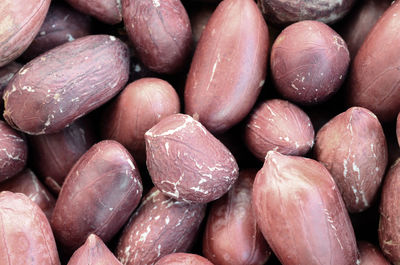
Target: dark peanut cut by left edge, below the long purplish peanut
{"points": [[13, 151]]}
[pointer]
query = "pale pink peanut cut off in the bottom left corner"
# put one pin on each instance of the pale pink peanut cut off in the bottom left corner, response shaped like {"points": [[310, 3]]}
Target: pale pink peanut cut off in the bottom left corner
{"points": [[26, 234]]}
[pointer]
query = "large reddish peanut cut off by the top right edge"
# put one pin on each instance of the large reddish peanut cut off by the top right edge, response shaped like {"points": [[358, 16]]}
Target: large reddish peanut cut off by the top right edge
{"points": [[374, 79]]}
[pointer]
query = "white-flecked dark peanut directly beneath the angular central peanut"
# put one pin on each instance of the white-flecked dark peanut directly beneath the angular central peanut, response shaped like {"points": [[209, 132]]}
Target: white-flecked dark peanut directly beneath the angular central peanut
{"points": [[160, 226]]}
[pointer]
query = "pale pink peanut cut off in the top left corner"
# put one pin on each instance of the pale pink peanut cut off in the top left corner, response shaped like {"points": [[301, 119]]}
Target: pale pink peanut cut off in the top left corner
{"points": [[20, 21]]}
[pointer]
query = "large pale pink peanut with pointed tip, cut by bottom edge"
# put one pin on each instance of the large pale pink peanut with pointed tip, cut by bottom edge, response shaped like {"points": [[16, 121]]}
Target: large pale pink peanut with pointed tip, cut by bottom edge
{"points": [[301, 213]]}
